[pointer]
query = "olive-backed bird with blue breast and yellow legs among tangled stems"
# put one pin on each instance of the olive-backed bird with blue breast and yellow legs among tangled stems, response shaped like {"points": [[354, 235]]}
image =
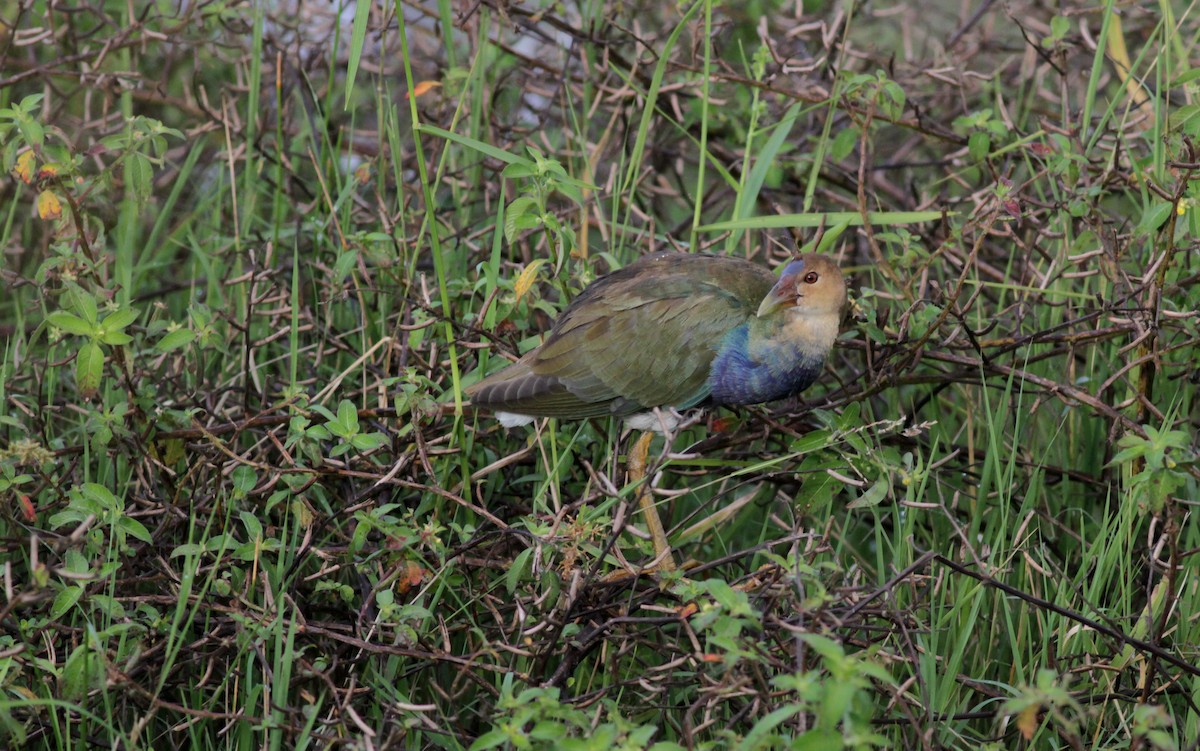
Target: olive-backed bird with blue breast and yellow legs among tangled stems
{"points": [[670, 333]]}
